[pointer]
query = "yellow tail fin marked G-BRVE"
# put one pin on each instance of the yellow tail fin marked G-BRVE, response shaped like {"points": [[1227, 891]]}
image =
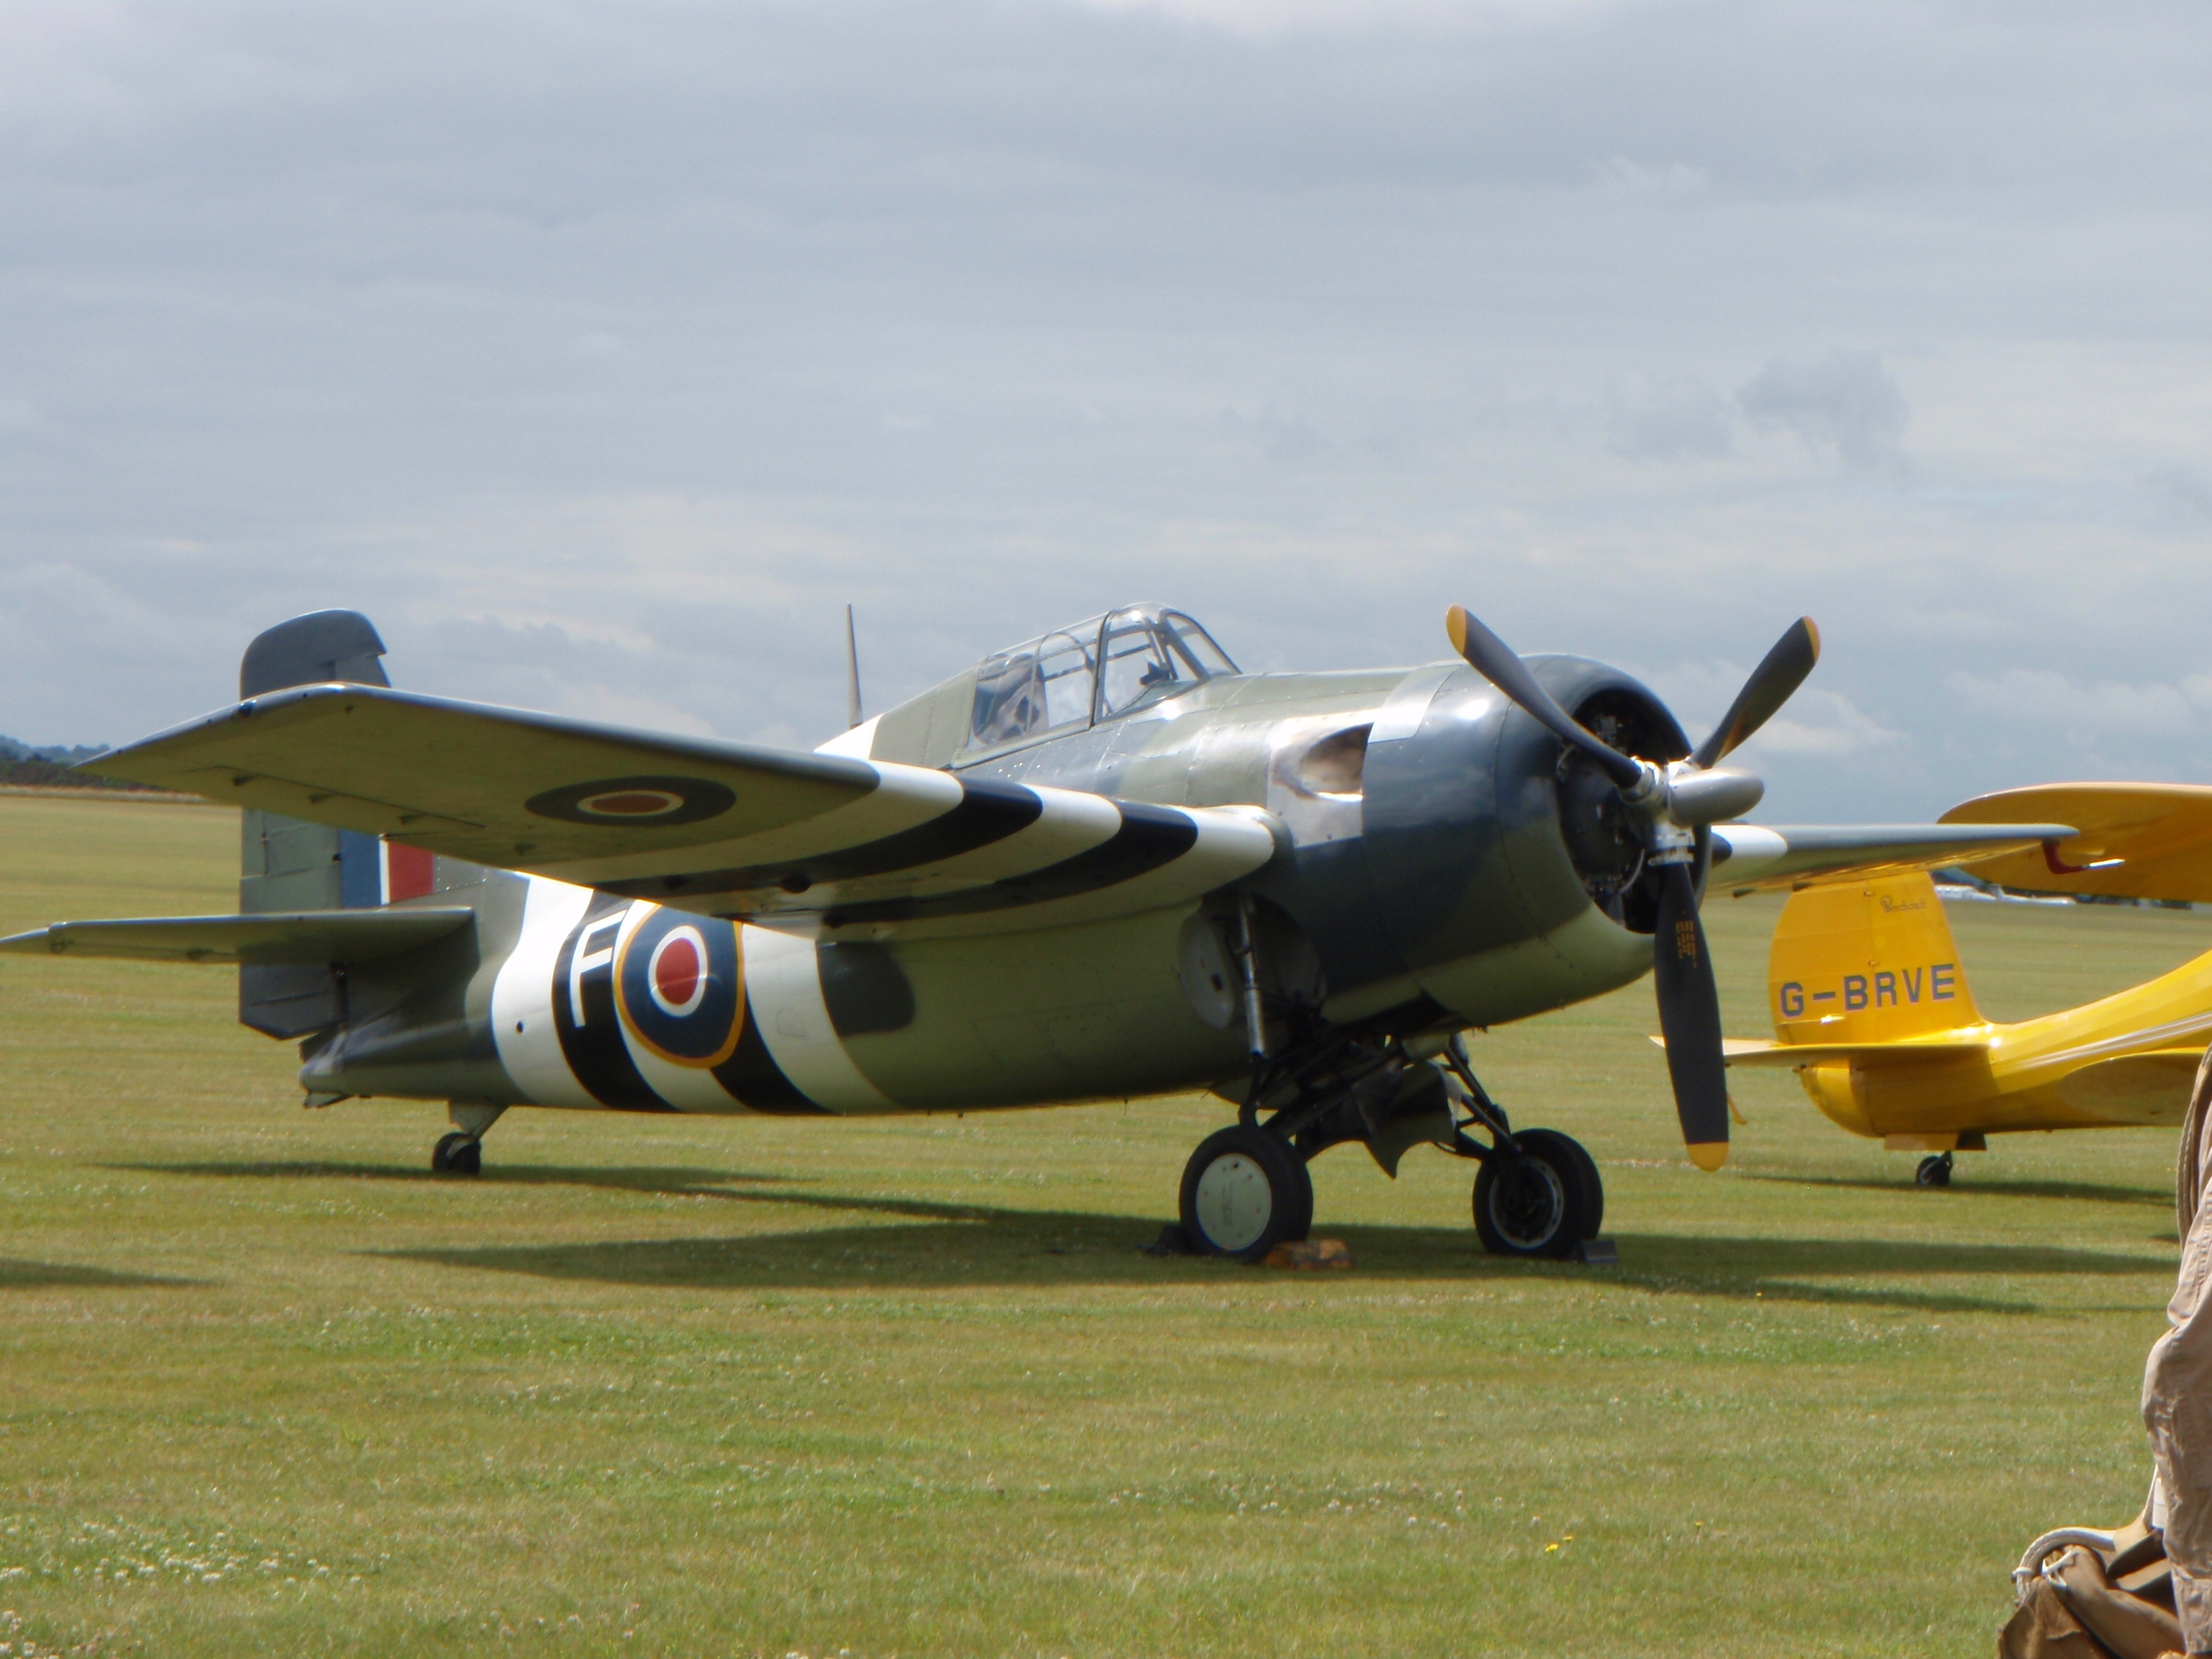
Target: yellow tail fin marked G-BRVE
{"points": [[1866, 961]]}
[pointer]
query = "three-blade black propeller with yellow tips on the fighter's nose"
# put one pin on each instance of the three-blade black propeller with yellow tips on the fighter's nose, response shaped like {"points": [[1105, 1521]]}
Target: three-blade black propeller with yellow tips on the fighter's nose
{"points": [[1669, 804]]}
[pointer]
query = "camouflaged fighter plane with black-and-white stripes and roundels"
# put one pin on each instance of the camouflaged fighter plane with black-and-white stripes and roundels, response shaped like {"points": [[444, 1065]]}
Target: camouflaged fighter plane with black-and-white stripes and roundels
{"points": [[1100, 864]]}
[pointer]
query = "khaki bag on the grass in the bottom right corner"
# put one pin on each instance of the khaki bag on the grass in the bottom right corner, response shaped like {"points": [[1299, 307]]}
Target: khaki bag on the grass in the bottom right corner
{"points": [[2094, 1596]]}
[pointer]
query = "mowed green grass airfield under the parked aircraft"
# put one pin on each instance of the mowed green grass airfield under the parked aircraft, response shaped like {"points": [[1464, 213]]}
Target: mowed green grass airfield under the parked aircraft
{"points": [[910, 1388]]}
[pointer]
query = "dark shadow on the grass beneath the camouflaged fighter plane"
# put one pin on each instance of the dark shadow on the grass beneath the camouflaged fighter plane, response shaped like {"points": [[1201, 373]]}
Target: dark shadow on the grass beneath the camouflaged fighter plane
{"points": [[928, 1244]]}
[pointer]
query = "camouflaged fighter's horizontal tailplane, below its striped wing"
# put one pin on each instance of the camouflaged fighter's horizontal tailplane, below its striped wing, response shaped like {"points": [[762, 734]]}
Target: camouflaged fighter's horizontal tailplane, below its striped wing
{"points": [[313, 937]]}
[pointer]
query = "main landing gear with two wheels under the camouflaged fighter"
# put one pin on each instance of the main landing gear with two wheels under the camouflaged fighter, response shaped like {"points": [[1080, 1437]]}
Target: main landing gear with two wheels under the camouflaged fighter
{"points": [[1246, 1189]]}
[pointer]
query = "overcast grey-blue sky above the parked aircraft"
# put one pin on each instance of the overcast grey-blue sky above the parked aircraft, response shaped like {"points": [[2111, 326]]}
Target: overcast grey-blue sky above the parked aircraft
{"points": [[603, 355]]}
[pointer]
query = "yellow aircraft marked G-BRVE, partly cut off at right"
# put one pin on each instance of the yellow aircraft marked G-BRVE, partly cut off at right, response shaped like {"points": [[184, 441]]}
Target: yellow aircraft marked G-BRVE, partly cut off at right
{"points": [[1872, 1008]]}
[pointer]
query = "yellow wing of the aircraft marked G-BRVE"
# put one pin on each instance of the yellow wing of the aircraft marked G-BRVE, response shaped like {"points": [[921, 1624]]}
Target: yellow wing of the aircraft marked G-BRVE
{"points": [[2131, 839]]}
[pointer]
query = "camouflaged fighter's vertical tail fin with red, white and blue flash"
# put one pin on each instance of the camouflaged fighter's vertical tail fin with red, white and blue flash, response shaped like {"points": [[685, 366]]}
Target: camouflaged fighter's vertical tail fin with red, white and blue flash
{"points": [[291, 866]]}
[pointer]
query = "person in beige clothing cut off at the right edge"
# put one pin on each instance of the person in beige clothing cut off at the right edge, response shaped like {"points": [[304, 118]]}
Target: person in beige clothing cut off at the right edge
{"points": [[2178, 1384]]}
